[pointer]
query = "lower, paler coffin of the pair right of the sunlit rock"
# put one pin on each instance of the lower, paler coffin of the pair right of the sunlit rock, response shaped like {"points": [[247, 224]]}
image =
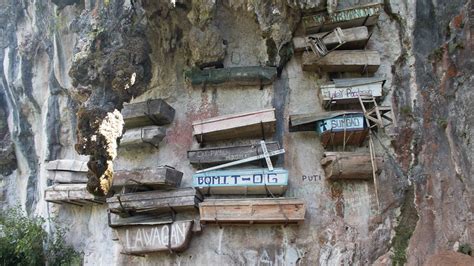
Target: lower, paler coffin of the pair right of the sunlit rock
{"points": [[137, 137]]}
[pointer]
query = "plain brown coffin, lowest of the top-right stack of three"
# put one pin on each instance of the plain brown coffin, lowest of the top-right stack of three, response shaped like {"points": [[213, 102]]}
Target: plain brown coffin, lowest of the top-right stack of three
{"points": [[342, 61]]}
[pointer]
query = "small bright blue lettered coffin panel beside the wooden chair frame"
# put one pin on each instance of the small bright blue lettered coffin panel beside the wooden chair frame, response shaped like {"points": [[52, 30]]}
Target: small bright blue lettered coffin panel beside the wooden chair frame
{"points": [[348, 122]]}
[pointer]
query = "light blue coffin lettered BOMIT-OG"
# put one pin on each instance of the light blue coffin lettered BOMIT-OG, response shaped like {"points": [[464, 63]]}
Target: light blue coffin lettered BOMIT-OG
{"points": [[242, 181]]}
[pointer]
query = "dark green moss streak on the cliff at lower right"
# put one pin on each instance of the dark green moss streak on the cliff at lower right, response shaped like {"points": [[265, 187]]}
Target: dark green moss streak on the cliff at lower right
{"points": [[403, 232]]}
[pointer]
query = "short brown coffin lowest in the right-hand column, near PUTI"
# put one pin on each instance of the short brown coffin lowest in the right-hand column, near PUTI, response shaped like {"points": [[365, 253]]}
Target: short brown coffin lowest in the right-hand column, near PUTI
{"points": [[349, 165]]}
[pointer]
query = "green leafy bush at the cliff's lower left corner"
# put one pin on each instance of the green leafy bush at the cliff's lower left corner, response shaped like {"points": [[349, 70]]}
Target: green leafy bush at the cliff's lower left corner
{"points": [[23, 241]]}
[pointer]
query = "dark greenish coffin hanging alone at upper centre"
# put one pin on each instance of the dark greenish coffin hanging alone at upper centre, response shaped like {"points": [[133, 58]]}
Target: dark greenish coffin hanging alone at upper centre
{"points": [[253, 75]]}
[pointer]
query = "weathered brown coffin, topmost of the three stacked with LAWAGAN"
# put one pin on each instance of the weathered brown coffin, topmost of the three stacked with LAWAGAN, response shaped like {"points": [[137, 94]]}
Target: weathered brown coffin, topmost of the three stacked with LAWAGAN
{"points": [[147, 179]]}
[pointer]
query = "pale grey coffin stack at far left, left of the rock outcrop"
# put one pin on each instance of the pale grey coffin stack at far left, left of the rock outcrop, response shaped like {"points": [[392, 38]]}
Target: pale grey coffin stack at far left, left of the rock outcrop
{"points": [[69, 178]]}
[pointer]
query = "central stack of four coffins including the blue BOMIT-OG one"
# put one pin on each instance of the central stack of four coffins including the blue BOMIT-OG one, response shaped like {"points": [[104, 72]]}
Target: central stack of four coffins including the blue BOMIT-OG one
{"points": [[242, 181]]}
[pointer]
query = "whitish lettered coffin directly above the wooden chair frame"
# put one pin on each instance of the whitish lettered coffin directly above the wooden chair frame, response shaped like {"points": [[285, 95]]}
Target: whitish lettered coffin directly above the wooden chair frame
{"points": [[342, 91]]}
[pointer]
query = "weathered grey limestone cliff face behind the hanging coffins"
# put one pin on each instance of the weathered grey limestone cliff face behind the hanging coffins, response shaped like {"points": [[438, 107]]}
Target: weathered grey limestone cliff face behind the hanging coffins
{"points": [[69, 66]]}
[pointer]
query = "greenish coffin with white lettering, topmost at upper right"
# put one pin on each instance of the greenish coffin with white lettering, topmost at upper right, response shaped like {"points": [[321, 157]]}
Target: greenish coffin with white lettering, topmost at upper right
{"points": [[366, 15]]}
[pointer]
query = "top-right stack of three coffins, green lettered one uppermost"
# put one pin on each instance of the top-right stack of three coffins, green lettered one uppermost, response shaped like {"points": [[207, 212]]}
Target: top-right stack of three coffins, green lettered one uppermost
{"points": [[335, 42]]}
